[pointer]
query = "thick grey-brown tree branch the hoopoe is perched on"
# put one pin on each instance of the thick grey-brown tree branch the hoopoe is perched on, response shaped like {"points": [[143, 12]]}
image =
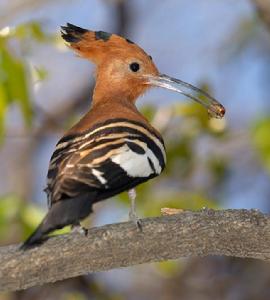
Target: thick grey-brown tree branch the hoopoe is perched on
{"points": [[239, 233]]}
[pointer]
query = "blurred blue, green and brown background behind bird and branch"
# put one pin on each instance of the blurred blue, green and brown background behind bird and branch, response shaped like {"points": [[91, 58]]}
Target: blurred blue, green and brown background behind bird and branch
{"points": [[222, 46]]}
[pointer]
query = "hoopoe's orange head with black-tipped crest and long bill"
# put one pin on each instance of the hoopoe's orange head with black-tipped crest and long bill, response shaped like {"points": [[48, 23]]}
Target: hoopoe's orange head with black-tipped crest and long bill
{"points": [[126, 70]]}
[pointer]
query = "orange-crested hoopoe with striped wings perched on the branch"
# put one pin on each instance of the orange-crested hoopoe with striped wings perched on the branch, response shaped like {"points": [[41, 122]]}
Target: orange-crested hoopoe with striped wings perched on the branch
{"points": [[113, 148]]}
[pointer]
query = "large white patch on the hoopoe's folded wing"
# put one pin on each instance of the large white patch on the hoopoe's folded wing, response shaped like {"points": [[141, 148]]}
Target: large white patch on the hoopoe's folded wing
{"points": [[136, 165]]}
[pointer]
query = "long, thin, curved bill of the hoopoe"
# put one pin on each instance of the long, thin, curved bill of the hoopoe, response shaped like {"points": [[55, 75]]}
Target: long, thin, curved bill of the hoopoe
{"points": [[214, 108]]}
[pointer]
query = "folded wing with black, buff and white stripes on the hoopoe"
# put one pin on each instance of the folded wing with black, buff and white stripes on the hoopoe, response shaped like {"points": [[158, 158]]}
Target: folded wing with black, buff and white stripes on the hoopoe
{"points": [[111, 158]]}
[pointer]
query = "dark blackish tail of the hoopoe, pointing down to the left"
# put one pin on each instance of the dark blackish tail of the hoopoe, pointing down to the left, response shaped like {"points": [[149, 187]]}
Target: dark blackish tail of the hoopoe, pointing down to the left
{"points": [[65, 212]]}
